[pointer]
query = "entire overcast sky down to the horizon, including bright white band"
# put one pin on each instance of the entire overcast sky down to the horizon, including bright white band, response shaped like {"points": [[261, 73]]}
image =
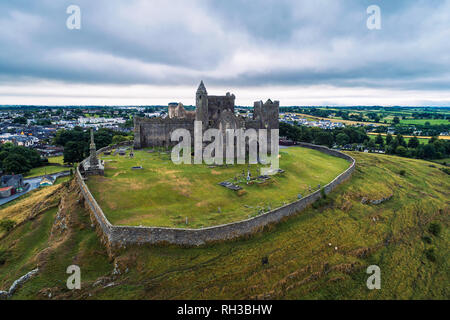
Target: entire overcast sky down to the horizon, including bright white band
{"points": [[145, 52]]}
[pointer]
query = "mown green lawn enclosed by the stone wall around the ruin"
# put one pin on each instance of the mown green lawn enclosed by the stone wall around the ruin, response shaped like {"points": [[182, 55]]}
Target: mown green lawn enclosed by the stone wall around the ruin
{"points": [[164, 194]]}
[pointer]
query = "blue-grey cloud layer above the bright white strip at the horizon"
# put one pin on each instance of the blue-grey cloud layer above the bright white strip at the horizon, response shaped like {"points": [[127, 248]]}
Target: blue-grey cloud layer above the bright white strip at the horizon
{"points": [[176, 42]]}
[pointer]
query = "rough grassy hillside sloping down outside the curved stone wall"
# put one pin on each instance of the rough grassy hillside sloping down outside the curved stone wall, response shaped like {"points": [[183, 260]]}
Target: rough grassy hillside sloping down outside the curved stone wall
{"points": [[395, 235]]}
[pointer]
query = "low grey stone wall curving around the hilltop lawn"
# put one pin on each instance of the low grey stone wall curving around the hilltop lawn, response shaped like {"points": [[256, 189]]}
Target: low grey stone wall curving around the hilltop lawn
{"points": [[119, 236]]}
